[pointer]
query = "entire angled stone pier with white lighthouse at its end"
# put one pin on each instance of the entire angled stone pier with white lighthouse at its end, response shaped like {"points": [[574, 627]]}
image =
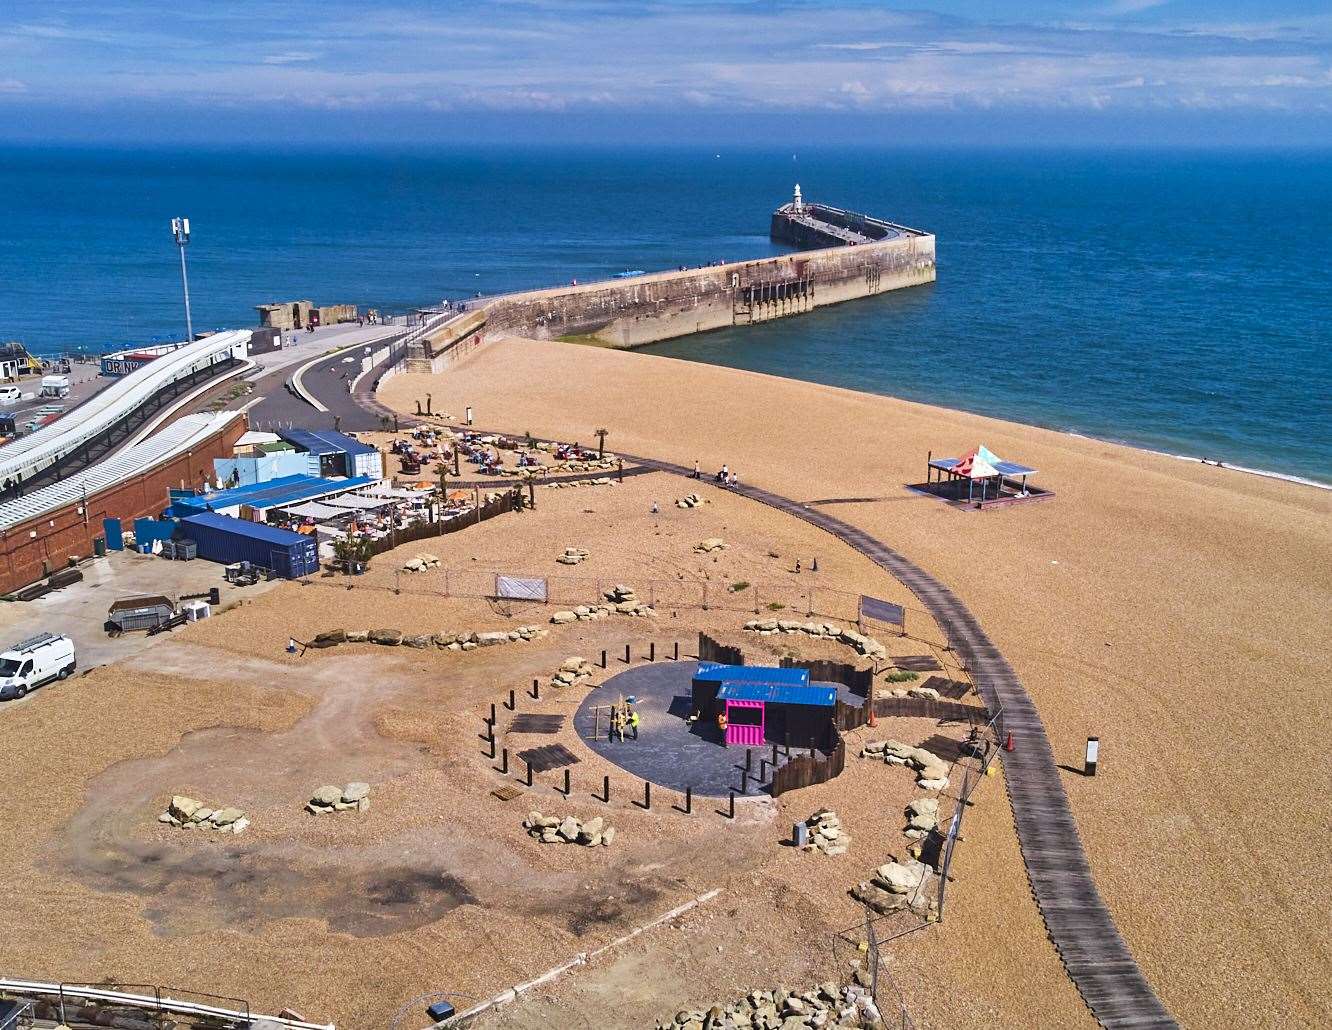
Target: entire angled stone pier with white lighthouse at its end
{"points": [[842, 257]]}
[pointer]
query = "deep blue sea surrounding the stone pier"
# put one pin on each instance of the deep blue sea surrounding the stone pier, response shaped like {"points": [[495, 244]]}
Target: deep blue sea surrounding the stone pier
{"points": [[1171, 300]]}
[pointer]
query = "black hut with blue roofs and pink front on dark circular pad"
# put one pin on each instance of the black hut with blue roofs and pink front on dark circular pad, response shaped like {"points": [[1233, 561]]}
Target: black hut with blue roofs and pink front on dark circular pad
{"points": [[760, 704]]}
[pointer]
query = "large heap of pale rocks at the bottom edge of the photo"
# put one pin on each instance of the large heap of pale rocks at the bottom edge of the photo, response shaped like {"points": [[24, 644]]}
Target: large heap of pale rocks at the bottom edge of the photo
{"points": [[825, 1005]]}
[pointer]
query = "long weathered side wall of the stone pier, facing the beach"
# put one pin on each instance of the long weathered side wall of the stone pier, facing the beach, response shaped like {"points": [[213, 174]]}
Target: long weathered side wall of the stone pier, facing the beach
{"points": [[645, 310]]}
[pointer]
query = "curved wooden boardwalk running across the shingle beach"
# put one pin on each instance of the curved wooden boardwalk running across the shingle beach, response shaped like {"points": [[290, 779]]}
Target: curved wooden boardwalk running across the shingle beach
{"points": [[1080, 924]]}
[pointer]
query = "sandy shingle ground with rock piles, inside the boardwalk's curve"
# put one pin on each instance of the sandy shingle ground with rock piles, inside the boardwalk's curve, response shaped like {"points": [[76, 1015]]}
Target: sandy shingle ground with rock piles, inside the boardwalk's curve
{"points": [[450, 704]]}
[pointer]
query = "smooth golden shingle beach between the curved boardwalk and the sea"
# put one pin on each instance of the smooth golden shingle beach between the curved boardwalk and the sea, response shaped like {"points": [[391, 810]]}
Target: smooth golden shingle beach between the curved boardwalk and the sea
{"points": [[1177, 611]]}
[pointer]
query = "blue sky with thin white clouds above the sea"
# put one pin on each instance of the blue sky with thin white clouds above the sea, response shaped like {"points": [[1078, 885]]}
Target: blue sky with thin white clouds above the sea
{"points": [[709, 71]]}
